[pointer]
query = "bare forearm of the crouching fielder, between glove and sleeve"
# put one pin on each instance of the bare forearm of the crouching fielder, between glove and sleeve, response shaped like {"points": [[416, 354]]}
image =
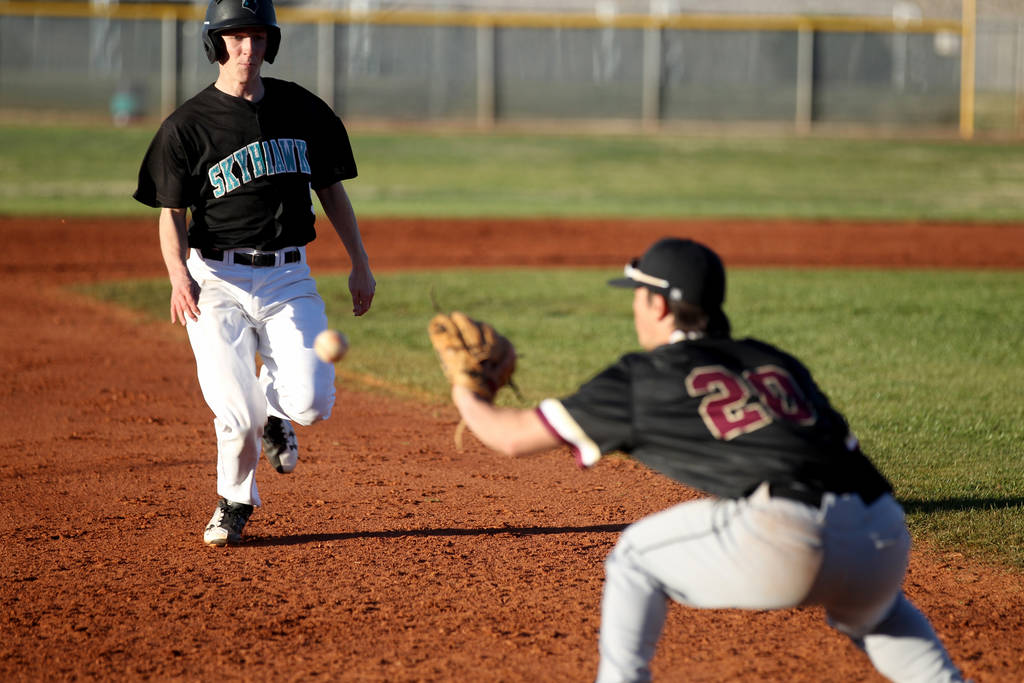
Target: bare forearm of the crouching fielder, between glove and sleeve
{"points": [[511, 432]]}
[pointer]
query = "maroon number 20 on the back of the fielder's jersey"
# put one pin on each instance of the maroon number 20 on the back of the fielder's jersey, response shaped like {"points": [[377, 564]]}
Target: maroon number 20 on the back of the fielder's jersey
{"points": [[728, 408]]}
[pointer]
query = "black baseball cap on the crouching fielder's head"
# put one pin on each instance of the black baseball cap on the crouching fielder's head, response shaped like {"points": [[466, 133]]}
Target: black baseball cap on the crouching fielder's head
{"points": [[680, 271]]}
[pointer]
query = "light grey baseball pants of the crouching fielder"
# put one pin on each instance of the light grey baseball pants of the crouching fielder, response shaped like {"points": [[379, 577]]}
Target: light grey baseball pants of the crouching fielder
{"points": [[770, 553]]}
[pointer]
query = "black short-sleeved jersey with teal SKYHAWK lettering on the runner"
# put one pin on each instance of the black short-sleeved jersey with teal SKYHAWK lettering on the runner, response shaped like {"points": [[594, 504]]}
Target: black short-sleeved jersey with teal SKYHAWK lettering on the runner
{"points": [[245, 169]]}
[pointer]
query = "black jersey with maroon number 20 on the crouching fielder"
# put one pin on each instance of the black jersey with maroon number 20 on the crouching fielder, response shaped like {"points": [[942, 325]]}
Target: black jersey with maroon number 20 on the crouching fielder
{"points": [[722, 416]]}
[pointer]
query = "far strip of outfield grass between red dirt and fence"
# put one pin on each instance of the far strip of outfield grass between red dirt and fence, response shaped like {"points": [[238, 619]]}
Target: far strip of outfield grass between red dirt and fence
{"points": [[47, 170]]}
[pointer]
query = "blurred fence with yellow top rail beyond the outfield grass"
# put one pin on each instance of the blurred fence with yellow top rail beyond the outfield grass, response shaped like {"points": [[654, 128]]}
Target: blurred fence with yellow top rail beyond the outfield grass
{"points": [[901, 66]]}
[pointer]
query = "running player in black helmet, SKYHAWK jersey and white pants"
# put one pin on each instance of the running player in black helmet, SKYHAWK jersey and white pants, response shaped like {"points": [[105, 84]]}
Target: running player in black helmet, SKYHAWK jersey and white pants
{"points": [[242, 156]]}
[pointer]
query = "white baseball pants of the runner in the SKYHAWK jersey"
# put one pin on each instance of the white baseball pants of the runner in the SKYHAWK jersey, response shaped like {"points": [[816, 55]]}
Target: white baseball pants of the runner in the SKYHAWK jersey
{"points": [[244, 311]]}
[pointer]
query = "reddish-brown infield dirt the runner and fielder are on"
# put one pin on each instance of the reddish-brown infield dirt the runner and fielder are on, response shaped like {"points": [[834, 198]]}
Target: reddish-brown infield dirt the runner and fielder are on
{"points": [[389, 556]]}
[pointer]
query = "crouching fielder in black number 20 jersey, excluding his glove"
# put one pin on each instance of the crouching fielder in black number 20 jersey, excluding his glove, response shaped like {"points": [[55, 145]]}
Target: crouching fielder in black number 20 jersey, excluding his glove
{"points": [[797, 515]]}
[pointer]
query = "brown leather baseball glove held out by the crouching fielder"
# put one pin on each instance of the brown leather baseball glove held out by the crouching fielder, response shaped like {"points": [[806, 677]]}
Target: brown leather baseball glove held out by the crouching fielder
{"points": [[473, 354]]}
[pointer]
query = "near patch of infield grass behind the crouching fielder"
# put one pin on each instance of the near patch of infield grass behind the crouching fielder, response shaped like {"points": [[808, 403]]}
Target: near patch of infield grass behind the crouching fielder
{"points": [[926, 365]]}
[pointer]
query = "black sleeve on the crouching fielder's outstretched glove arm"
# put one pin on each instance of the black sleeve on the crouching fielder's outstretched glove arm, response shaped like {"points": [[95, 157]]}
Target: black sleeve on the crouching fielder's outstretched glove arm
{"points": [[604, 408]]}
